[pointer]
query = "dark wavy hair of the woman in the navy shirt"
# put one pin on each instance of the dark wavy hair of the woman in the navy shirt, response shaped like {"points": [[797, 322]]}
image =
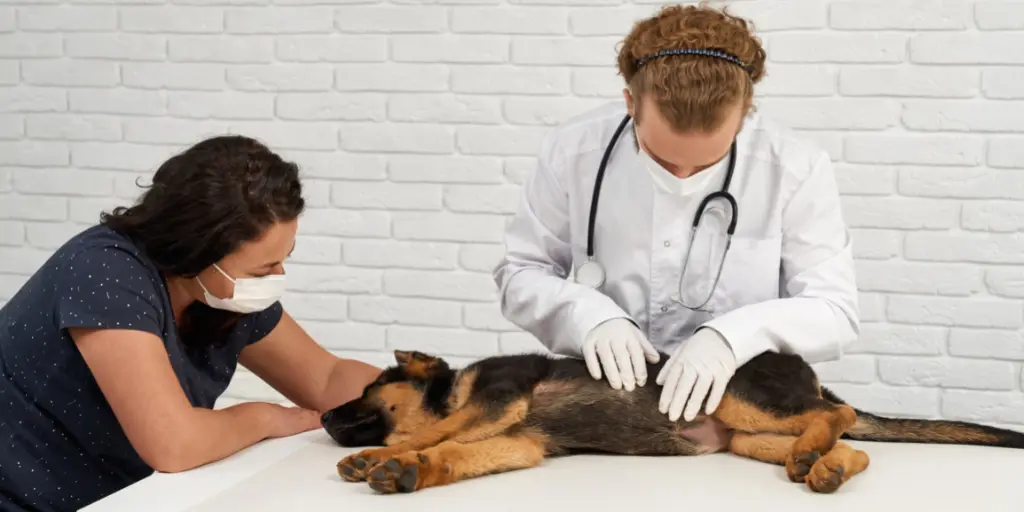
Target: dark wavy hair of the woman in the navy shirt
{"points": [[205, 203]]}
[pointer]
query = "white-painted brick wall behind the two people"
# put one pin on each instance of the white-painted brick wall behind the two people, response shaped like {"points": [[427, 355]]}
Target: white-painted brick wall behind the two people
{"points": [[416, 123]]}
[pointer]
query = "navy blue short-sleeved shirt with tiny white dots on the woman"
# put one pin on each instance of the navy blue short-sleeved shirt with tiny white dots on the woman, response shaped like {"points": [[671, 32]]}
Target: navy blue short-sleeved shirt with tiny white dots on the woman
{"points": [[61, 446]]}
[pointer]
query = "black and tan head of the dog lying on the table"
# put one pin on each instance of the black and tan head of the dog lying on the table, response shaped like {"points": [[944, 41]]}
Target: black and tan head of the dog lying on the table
{"points": [[405, 398]]}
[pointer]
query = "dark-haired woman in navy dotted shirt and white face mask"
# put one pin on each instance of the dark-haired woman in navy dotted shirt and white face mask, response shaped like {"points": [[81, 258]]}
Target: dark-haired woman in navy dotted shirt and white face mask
{"points": [[113, 354]]}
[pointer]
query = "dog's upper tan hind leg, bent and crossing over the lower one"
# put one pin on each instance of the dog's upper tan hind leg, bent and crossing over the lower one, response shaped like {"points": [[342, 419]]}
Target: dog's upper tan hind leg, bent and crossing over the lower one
{"points": [[818, 429]]}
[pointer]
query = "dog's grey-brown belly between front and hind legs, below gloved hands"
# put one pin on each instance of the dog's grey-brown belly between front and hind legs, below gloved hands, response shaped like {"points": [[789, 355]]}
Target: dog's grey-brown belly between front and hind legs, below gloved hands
{"points": [[588, 415]]}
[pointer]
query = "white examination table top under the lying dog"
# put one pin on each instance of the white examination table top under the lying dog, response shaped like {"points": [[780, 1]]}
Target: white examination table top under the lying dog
{"points": [[298, 475]]}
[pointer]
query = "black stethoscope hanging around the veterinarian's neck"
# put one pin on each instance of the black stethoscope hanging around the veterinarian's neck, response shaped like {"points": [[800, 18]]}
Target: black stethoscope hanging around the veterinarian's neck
{"points": [[592, 274]]}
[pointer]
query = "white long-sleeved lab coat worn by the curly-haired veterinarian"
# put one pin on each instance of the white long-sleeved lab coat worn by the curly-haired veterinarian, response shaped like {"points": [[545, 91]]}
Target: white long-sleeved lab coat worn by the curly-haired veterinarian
{"points": [[788, 283]]}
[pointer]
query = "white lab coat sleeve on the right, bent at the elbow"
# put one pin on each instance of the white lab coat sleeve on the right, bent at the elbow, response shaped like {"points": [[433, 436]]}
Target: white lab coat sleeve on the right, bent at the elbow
{"points": [[819, 315]]}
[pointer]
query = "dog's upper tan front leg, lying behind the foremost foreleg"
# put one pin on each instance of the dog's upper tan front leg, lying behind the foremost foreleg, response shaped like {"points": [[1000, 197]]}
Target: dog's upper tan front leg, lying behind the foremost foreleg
{"points": [[466, 425]]}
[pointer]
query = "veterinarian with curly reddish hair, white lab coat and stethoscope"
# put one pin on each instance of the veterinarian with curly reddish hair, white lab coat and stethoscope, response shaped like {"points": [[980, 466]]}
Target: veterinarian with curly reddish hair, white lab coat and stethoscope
{"points": [[783, 282]]}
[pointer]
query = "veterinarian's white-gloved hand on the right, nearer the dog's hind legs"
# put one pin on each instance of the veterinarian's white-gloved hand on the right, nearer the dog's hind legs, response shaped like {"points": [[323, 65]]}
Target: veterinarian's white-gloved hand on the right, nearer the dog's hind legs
{"points": [[703, 364]]}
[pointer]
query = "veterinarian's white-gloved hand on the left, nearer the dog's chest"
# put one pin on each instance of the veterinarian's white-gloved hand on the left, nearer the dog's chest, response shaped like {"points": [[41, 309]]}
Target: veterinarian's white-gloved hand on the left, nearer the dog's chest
{"points": [[619, 348]]}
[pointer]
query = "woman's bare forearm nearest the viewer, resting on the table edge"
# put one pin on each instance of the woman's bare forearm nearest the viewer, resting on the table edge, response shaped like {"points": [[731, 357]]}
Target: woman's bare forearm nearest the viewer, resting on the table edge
{"points": [[209, 436]]}
